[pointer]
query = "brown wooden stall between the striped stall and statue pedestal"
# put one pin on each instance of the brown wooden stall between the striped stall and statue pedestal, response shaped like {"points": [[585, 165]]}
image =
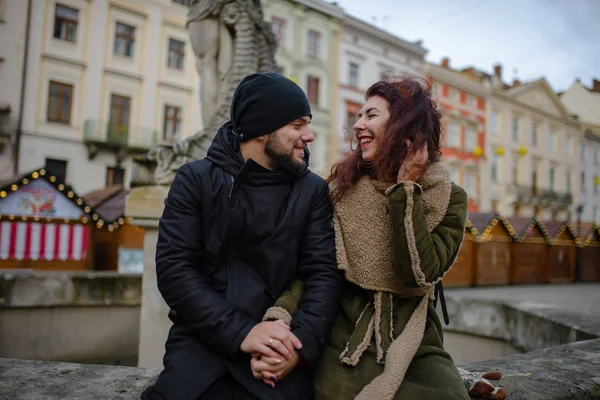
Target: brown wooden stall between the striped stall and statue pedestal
{"points": [[120, 246]]}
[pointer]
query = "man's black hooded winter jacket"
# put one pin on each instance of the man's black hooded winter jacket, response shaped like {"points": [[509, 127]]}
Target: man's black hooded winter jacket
{"points": [[232, 237]]}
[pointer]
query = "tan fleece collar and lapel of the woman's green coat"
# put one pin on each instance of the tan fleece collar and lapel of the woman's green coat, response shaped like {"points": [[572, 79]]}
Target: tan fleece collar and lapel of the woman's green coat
{"points": [[363, 230]]}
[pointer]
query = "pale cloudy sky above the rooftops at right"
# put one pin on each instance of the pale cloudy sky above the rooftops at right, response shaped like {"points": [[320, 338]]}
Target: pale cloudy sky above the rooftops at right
{"points": [[558, 39]]}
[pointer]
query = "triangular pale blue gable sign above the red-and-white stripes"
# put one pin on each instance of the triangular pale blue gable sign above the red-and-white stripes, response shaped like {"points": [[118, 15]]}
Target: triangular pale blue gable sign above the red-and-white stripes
{"points": [[39, 198]]}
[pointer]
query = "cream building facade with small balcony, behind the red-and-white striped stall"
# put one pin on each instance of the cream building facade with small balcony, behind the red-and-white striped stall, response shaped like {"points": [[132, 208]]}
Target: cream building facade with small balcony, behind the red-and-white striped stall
{"points": [[106, 80]]}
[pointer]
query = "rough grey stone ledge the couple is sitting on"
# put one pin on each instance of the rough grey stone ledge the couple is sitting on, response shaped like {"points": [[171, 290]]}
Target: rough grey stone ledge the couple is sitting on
{"points": [[563, 372]]}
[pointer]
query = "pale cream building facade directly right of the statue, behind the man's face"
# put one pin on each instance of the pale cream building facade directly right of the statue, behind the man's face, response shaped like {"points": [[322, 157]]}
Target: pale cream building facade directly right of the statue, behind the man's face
{"points": [[307, 34]]}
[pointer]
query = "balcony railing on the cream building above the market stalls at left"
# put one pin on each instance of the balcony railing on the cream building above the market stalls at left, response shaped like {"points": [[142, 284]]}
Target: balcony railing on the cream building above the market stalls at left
{"points": [[118, 136]]}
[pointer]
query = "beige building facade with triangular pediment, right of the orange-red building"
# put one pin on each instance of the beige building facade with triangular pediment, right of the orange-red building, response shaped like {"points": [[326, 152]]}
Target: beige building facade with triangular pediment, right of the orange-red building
{"points": [[533, 144]]}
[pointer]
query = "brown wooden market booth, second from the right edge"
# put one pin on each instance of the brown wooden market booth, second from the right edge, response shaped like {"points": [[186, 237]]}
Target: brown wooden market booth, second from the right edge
{"points": [[562, 251]]}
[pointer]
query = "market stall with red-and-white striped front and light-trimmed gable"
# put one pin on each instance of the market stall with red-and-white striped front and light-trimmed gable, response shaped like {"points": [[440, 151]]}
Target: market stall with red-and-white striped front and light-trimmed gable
{"points": [[44, 224]]}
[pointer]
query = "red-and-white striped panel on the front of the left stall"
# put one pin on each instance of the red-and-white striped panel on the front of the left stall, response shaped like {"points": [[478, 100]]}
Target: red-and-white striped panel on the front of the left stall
{"points": [[48, 241]]}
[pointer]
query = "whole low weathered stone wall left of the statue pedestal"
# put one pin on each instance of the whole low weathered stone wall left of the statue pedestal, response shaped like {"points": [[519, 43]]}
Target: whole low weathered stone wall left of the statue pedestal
{"points": [[89, 317]]}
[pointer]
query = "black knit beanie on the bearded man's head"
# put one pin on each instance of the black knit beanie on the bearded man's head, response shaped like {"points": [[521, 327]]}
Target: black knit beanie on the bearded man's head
{"points": [[264, 102]]}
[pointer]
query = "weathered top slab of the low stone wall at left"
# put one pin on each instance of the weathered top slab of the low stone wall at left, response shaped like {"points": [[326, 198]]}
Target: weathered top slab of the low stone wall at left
{"points": [[28, 288]]}
